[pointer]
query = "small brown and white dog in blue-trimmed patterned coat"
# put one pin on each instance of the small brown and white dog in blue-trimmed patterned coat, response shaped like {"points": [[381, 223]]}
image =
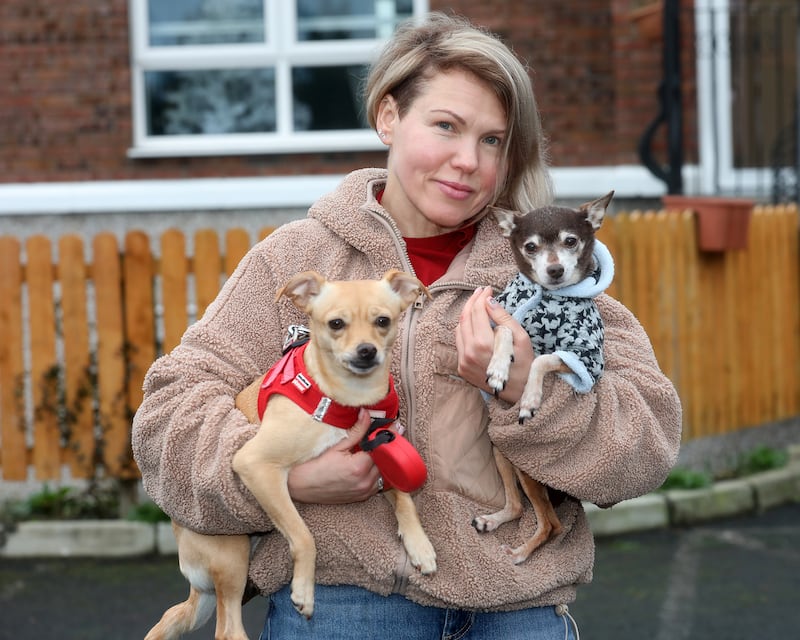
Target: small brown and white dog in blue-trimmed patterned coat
{"points": [[561, 268]]}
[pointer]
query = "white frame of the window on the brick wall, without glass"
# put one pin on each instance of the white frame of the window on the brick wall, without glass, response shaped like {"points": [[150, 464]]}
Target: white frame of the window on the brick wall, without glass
{"points": [[281, 52]]}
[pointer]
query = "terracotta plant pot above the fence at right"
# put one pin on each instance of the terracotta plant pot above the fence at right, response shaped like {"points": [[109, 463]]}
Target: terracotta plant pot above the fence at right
{"points": [[722, 223]]}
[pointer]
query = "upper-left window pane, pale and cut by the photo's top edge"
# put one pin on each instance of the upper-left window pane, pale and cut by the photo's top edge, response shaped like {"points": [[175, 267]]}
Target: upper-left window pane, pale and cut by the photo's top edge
{"points": [[185, 22]]}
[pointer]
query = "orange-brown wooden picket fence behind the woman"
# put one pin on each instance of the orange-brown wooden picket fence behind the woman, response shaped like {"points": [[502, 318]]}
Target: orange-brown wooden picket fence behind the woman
{"points": [[77, 335]]}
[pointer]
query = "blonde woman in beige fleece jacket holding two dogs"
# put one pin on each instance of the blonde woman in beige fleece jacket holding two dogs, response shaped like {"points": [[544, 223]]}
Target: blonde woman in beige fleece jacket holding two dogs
{"points": [[456, 110]]}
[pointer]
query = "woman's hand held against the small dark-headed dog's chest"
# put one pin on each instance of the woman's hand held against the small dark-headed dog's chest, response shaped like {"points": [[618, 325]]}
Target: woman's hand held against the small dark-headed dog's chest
{"points": [[475, 343]]}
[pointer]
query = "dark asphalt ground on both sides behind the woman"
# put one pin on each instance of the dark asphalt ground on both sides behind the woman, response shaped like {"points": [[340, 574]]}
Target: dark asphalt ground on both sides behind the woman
{"points": [[736, 579]]}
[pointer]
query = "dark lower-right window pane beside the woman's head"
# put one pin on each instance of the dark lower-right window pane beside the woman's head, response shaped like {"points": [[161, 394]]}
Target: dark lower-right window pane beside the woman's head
{"points": [[328, 97]]}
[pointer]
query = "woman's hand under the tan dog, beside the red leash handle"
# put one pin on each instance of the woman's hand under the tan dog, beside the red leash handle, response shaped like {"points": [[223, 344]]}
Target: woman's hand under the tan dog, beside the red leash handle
{"points": [[337, 475]]}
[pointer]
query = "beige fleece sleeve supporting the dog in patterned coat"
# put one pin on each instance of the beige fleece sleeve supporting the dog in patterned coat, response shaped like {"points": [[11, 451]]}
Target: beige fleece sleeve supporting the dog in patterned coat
{"points": [[616, 442]]}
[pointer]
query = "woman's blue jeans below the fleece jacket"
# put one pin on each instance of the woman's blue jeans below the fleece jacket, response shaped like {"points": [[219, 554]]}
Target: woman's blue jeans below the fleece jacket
{"points": [[352, 613]]}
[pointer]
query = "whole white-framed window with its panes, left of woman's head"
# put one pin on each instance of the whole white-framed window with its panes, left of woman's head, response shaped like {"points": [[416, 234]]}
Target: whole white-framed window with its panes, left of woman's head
{"points": [[220, 77]]}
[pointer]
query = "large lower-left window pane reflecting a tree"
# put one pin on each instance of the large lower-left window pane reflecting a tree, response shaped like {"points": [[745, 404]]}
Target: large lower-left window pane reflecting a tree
{"points": [[210, 101]]}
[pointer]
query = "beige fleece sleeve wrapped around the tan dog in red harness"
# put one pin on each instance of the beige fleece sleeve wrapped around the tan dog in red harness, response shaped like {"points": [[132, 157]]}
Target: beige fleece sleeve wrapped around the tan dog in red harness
{"points": [[187, 430]]}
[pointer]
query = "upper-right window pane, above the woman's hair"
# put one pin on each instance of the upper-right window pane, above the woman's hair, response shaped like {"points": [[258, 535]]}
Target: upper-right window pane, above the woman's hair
{"points": [[349, 19]]}
